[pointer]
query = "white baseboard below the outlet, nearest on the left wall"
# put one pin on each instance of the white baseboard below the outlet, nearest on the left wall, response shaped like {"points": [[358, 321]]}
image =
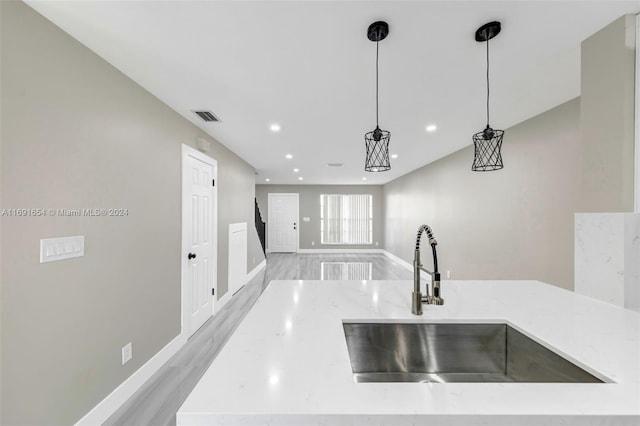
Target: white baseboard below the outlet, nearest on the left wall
{"points": [[101, 412]]}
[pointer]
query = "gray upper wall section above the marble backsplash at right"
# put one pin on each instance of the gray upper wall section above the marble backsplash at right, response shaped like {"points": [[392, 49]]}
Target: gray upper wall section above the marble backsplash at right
{"points": [[608, 118]]}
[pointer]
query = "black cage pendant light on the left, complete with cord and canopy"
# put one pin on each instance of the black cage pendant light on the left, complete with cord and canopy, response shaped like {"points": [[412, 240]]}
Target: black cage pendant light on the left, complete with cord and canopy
{"points": [[377, 141]]}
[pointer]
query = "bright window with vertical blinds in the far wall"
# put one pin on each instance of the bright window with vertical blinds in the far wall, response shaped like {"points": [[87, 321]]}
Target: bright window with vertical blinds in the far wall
{"points": [[346, 219]]}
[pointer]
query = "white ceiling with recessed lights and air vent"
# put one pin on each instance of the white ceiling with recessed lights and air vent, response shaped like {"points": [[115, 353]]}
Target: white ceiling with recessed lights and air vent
{"points": [[309, 66]]}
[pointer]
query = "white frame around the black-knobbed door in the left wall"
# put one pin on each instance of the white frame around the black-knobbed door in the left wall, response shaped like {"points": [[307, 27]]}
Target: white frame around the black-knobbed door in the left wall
{"points": [[188, 151]]}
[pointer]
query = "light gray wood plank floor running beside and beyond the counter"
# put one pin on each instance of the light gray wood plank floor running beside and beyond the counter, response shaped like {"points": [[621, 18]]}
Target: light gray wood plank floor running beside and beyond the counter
{"points": [[157, 402]]}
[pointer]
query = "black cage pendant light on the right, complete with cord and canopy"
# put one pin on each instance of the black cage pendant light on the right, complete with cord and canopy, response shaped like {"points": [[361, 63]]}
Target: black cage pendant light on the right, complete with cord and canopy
{"points": [[487, 143]]}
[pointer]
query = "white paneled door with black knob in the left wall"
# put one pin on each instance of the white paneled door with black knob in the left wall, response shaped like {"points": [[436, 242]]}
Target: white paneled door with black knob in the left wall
{"points": [[198, 235]]}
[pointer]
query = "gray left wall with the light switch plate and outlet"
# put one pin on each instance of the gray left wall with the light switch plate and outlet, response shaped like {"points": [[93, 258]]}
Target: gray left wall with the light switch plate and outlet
{"points": [[77, 133]]}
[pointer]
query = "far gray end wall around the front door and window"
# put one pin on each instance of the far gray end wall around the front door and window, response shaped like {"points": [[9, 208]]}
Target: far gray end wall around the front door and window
{"points": [[309, 200]]}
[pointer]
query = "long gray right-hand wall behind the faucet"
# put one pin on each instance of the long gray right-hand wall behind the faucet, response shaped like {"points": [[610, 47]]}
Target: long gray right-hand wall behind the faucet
{"points": [[514, 223]]}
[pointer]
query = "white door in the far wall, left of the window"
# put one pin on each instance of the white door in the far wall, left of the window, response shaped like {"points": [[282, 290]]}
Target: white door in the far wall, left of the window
{"points": [[283, 223]]}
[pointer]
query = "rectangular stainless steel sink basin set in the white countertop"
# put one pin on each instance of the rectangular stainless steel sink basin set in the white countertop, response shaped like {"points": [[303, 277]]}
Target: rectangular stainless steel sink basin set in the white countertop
{"points": [[454, 352]]}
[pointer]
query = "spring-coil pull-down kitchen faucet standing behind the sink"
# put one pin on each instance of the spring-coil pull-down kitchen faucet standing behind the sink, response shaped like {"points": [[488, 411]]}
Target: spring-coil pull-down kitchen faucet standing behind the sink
{"points": [[416, 297]]}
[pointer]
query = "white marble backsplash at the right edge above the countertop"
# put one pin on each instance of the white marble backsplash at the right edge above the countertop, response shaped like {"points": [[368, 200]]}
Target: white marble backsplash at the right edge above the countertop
{"points": [[607, 257]]}
